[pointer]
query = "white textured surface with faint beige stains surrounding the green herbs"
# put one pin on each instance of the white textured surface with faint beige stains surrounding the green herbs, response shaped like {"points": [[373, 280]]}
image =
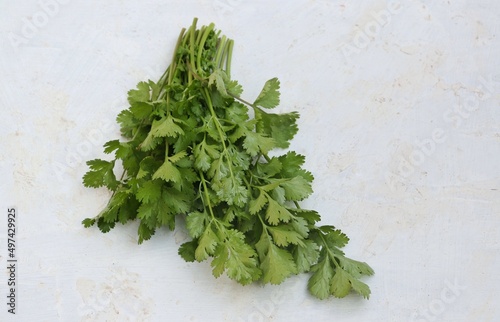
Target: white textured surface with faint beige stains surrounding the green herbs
{"points": [[400, 124]]}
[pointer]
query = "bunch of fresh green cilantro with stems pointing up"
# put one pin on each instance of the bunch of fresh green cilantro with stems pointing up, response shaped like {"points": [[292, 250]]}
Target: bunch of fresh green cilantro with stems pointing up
{"points": [[191, 149]]}
